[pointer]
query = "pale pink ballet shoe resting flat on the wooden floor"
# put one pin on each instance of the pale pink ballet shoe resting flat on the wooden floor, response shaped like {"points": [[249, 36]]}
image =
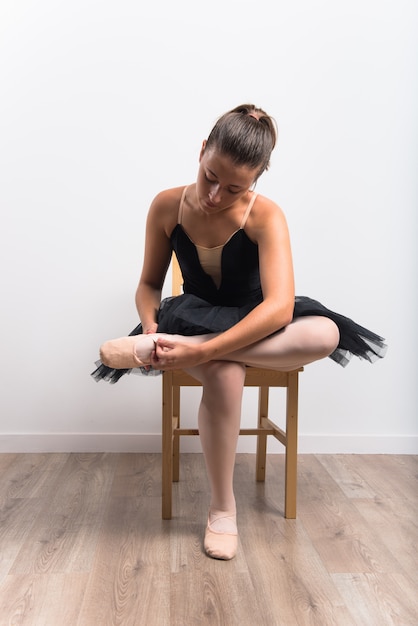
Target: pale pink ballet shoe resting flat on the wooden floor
{"points": [[221, 537]]}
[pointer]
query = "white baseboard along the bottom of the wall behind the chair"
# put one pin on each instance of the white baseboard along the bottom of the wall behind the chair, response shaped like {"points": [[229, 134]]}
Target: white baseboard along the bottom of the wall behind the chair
{"points": [[134, 442]]}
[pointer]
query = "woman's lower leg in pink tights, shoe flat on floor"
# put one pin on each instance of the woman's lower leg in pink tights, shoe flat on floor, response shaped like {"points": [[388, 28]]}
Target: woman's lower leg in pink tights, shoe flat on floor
{"points": [[219, 423]]}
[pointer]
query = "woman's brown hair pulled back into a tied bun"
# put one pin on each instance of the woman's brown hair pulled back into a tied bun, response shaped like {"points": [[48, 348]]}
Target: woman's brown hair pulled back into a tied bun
{"points": [[247, 134]]}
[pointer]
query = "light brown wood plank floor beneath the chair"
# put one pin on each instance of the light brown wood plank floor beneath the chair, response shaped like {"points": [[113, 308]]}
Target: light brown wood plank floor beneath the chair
{"points": [[82, 543]]}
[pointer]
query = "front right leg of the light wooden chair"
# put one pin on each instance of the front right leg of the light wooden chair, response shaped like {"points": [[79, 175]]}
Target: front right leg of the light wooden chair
{"points": [[291, 446]]}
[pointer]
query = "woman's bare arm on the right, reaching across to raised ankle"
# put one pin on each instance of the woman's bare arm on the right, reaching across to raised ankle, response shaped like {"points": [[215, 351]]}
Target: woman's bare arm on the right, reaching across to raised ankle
{"points": [[266, 226]]}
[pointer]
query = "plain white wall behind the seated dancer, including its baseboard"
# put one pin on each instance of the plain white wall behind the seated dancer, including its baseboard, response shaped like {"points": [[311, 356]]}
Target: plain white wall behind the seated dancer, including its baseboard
{"points": [[102, 104]]}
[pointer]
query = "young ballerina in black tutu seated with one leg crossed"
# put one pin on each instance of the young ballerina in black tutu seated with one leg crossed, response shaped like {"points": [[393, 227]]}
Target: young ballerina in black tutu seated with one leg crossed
{"points": [[238, 307]]}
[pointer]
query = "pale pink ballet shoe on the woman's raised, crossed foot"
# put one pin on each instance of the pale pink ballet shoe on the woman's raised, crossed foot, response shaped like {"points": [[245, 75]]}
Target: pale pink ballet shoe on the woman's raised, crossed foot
{"points": [[128, 352]]}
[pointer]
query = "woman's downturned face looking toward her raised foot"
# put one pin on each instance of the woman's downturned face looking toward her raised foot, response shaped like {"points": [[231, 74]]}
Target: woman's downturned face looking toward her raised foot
{"points": [[220, 182]]}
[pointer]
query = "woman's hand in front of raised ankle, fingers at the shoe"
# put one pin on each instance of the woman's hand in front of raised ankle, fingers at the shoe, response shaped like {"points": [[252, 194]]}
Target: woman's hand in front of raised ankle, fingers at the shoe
{"points": [[172, 355]]}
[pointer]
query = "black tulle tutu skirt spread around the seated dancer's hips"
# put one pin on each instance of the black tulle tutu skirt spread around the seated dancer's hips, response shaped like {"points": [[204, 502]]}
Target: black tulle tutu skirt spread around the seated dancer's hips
{"points": [[190, 315]]}
